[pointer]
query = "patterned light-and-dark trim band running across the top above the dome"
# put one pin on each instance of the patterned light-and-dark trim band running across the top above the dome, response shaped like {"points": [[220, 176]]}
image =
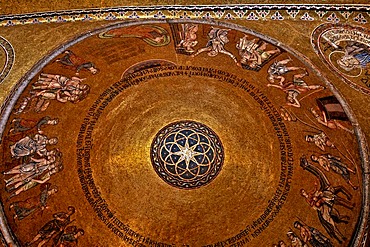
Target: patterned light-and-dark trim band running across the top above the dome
{"points": [[328, 13]]}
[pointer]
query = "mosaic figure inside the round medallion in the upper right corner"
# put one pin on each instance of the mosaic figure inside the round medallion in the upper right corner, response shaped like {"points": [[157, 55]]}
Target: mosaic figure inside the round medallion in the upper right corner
{"points": [[356, 55]]}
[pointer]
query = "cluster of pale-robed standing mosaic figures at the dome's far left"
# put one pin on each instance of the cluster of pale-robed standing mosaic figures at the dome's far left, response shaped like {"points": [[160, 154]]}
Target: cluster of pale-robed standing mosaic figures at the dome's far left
{"points": [[35, 162]]}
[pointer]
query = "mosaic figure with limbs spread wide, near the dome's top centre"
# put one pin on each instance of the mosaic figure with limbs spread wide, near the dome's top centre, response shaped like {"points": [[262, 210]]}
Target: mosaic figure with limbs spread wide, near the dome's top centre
{"points": [[217, 39]]}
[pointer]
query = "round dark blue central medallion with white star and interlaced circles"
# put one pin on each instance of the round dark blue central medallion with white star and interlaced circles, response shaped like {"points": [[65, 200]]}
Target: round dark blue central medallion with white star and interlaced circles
{"points": [[187, 154]]}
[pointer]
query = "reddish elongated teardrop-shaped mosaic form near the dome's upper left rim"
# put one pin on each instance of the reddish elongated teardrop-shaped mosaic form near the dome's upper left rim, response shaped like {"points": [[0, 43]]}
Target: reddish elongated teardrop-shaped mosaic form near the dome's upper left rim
{"points": [[151, 34]]}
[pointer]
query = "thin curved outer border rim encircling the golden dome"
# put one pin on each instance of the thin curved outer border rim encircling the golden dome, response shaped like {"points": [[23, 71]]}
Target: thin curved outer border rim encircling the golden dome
{"points": [[359, 237]]}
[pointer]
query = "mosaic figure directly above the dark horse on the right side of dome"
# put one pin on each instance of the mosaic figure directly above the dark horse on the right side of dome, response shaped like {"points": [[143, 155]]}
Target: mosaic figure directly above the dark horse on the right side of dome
{"points": [[332, 163]]}
